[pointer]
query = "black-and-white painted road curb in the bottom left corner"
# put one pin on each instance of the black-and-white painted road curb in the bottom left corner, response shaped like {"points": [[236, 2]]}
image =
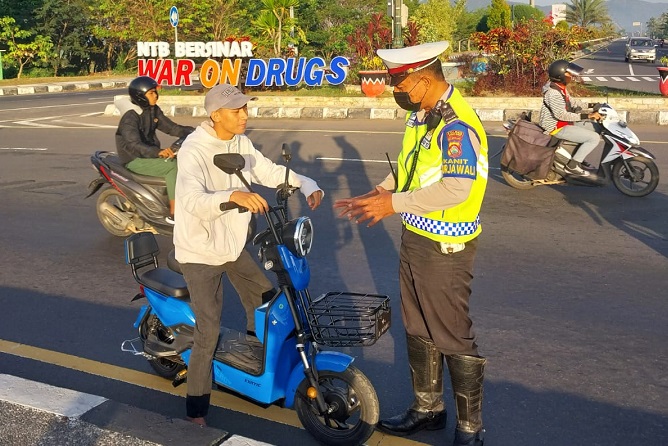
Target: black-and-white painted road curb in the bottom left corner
{"points": [[66, 416]]}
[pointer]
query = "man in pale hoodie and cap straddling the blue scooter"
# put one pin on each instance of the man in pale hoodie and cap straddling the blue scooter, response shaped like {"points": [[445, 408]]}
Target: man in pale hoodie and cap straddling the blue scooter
{"points": [[209, 242]]}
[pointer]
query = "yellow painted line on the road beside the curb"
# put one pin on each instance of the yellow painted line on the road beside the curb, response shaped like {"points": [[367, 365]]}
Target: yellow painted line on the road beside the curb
{"points": [[153, 382]]}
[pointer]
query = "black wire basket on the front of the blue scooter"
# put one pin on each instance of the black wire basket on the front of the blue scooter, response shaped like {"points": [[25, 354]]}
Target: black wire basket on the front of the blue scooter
{"points": [[339, 319]]}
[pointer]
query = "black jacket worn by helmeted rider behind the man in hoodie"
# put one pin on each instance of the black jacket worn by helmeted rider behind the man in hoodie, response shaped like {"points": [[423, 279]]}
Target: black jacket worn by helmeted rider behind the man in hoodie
{"points": [[135, 136]]}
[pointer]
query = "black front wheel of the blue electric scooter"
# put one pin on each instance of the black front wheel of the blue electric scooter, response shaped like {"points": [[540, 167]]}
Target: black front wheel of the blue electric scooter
{"points": [[353, 408]]}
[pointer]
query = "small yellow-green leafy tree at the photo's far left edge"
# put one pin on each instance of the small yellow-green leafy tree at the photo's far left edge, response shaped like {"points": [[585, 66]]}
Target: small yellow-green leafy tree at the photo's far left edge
{"points": [[23, 46]]}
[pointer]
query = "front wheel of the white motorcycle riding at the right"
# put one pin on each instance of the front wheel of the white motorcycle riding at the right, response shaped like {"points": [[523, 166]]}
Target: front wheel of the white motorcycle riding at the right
{"points": [[641, 180]]}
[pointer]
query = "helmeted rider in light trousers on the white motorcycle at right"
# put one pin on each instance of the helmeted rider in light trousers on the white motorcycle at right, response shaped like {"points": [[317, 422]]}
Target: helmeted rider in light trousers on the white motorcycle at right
{"points": [[561, 116]]}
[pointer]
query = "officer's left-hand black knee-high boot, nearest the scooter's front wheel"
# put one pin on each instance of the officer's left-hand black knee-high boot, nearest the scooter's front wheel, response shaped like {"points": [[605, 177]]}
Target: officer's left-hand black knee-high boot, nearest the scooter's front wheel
{"points": [[428, 409]]}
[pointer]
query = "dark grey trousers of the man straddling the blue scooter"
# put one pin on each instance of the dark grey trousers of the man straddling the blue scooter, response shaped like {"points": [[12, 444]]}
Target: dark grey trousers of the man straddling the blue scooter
{"points": [[206, 296]]}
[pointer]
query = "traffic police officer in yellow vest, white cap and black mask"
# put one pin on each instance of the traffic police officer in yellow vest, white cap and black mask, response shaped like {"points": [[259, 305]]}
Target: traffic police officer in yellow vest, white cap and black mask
{"points": [[438, 191]]}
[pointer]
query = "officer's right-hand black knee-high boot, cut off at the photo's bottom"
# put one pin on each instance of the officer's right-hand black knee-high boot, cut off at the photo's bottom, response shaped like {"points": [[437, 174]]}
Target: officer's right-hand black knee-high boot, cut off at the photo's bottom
{"points": [[467, 374]]}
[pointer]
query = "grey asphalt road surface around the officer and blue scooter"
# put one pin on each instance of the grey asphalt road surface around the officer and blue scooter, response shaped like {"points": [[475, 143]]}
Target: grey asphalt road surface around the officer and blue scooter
{"points": [[568, 298]]}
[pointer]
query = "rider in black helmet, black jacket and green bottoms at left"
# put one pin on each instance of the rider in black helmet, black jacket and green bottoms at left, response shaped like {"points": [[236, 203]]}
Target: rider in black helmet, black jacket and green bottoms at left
{"points": [[136, 143]]}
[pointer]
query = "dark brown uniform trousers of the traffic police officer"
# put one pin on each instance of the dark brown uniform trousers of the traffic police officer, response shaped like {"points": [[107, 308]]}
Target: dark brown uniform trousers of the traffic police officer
{"points": [[435, 291]]}
